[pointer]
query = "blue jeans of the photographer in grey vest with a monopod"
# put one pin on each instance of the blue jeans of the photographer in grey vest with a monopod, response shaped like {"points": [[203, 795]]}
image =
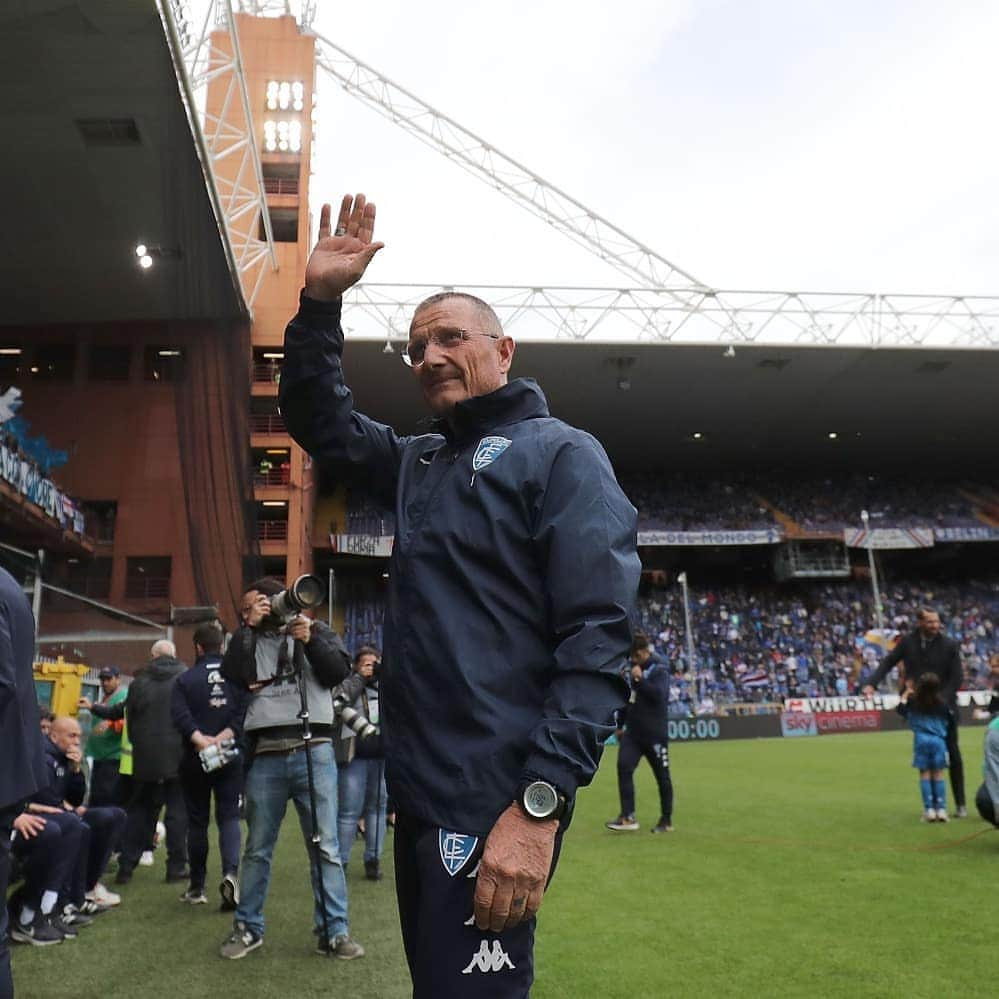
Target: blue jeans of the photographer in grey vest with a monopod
{"points": [[273, 780]]}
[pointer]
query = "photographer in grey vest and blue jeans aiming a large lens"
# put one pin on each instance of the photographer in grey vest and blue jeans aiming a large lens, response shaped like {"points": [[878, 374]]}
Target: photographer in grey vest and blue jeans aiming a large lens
{"points": [[267, 656]]}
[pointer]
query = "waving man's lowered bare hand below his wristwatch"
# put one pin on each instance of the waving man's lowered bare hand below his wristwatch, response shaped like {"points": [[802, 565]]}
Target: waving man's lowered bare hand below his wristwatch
{"points": [[515, 865]]}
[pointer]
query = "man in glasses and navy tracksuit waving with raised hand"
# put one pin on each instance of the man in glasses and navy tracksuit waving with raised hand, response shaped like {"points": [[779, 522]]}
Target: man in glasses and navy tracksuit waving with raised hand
{"points": [[514, 571]]}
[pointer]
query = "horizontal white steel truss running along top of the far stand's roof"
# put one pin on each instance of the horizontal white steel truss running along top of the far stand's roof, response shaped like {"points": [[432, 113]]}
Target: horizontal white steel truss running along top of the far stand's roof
{"points": [[383, 311]]}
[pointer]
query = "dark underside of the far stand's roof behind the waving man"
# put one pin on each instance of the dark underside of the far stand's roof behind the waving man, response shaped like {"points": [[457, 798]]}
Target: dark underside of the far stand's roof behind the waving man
{"points": [[763, 407]]}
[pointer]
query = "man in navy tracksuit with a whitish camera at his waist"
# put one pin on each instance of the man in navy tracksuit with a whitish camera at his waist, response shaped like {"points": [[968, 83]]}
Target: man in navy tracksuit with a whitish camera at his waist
{"points": [[207, 709]]}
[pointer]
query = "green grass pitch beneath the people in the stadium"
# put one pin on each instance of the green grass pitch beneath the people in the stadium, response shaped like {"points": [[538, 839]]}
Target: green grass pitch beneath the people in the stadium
{"points": [[797, 868]]}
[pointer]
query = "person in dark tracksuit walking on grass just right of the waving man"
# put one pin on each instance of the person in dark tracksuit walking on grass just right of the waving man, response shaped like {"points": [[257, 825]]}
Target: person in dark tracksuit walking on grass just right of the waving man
{"points": [[644, 732]]}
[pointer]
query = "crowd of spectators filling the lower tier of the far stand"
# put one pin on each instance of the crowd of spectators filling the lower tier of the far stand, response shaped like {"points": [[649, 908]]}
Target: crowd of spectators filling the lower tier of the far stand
{"points": [[769, 642]]}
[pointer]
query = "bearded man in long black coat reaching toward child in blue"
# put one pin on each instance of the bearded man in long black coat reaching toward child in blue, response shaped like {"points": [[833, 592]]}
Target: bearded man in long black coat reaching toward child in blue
{"points": [[927, 650]]}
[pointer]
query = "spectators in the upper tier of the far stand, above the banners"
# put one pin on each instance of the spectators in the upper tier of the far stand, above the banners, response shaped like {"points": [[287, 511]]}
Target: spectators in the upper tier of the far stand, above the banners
{"points": [[823, 503]]}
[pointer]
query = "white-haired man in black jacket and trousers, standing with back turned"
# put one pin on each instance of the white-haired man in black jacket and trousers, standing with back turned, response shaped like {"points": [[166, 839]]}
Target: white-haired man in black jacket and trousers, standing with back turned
{"points": [[157, 750]]}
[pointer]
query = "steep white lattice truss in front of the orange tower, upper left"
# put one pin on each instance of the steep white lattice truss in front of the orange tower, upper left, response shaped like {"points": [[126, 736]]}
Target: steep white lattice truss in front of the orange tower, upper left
{"points": [[228, 136]]}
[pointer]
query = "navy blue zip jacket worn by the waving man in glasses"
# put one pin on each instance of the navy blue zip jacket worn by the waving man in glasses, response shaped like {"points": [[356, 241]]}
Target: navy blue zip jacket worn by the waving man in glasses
{"points": [[513, 574]]}
